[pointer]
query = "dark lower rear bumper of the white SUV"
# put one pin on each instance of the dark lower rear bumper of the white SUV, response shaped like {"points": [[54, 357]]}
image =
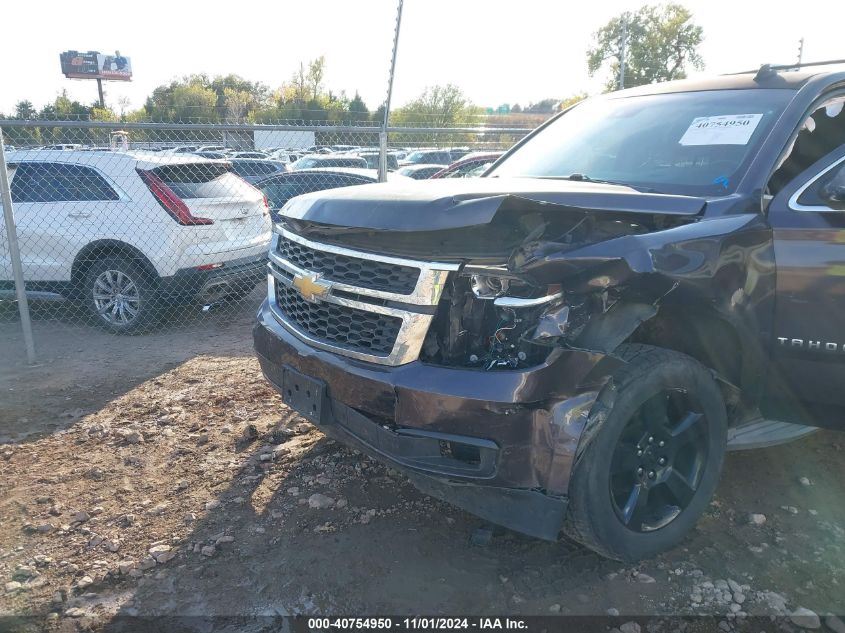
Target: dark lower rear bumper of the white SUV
{"points": [[233, 277]]}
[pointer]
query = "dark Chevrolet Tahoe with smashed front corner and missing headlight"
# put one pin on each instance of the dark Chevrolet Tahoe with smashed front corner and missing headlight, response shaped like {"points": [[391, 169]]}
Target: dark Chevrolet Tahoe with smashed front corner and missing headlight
{"points": [[570, 344]]}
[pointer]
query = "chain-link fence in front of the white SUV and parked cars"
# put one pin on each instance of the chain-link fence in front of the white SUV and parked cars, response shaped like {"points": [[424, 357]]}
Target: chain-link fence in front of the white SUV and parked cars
{"points": [[136, 228]]}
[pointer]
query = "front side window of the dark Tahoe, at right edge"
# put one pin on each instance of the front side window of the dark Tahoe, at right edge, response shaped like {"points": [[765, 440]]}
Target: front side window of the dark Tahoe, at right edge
{"points": [[821, 133]]}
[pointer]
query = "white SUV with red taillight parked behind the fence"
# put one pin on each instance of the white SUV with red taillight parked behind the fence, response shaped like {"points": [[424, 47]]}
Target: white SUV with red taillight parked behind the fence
{"points": [[125, 233]]}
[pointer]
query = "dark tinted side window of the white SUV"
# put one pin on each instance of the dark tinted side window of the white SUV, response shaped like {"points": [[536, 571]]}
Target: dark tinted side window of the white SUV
{"points": [[56, 182]]}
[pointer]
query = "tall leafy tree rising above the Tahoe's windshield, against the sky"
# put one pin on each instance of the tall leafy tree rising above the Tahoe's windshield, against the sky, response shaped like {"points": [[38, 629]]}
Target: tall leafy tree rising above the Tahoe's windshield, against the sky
{"points": [[661, 42]]}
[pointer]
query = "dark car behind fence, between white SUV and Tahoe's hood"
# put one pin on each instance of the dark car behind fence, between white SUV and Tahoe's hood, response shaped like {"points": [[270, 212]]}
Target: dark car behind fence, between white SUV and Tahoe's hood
{"points": [[279, 189]]}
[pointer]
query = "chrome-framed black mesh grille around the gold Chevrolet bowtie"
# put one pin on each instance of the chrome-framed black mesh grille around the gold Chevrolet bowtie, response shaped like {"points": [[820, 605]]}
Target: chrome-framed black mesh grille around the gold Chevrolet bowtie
{"points": [[374, 313]]}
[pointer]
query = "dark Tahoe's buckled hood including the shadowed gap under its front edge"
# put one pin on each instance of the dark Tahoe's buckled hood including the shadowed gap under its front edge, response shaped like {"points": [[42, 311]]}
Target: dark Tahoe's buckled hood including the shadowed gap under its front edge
{"points": [[472, 218]]}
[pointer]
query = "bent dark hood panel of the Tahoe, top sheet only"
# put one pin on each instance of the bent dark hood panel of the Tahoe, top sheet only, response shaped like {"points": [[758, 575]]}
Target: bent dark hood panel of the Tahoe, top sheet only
{"points": [[464, 202]]}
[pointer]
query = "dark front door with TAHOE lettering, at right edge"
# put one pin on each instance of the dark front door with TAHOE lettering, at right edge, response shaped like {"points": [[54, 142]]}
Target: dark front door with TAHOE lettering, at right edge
{"points": [[807, 382]]}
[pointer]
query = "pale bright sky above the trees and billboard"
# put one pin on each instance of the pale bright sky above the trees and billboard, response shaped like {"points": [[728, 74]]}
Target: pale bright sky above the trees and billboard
{"points": [[497, 51]]}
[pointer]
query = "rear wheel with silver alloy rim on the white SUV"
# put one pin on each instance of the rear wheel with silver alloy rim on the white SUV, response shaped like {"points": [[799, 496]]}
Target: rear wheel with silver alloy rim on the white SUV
{"points": [[136, 307]]}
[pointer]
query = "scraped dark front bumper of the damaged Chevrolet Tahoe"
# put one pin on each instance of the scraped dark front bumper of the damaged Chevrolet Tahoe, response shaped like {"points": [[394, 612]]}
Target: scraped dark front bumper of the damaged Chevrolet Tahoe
{"points": [[499, 444]]}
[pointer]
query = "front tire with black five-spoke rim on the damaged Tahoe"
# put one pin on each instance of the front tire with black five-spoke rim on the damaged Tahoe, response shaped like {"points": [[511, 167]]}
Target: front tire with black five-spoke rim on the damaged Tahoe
{"points": [[624, 502]]}
